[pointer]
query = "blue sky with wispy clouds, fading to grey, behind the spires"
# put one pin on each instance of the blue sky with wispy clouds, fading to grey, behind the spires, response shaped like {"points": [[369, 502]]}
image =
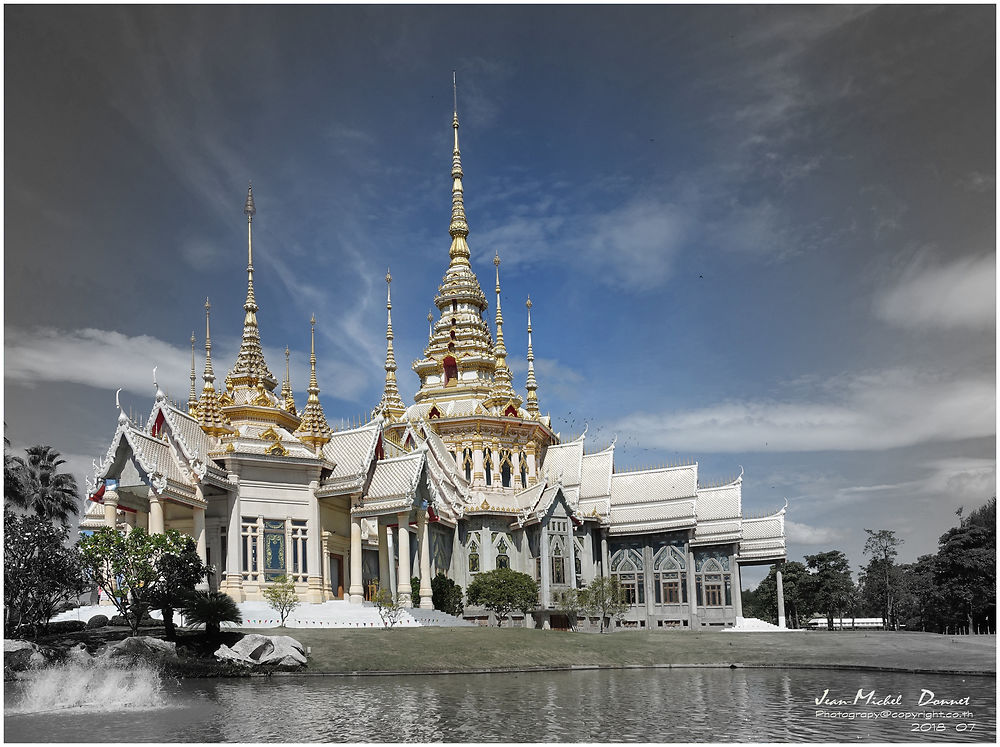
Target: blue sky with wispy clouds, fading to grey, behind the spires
{"points": [[759, 237]]}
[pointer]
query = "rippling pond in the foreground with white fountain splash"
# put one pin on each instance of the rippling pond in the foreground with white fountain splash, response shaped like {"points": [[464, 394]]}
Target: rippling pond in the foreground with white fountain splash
{"points": [[82, 704]]}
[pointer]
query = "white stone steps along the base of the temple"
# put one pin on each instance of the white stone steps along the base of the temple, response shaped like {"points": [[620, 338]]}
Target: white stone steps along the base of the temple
{"points": [[335, 614]]}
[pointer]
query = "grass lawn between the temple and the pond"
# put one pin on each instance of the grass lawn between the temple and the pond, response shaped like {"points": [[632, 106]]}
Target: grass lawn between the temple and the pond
{"points": [[465, 649]]}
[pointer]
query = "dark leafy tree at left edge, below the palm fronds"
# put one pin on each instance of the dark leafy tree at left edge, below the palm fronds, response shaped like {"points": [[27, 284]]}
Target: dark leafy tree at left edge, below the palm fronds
{"points": [[40, 572]]}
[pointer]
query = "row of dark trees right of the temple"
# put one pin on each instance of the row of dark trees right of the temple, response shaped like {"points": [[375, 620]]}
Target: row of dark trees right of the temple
{"points": [[951, 591]]}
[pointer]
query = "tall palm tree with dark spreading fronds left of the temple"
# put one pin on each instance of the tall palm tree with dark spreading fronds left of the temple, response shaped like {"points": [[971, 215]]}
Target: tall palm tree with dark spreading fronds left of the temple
{"points": [[42, 488]]}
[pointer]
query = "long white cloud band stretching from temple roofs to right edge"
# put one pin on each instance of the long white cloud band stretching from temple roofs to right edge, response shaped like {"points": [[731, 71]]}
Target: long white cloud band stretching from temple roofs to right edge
{"points": [[881, 410]]}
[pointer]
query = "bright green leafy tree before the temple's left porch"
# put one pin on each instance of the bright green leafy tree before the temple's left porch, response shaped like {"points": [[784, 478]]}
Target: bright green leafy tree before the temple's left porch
{"points": [[128, 567]]}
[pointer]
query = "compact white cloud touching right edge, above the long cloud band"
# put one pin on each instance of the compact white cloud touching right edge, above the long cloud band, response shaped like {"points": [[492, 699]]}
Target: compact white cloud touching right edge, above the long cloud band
{"points": [[961, 294]]}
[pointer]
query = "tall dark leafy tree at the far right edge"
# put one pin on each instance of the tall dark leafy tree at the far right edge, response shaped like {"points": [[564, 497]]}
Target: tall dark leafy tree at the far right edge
{"points": [[965, 570]]}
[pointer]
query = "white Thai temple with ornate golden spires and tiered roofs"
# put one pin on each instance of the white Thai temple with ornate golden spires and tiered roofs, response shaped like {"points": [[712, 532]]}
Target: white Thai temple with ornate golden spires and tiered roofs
{"points": [[468, 478]]}
